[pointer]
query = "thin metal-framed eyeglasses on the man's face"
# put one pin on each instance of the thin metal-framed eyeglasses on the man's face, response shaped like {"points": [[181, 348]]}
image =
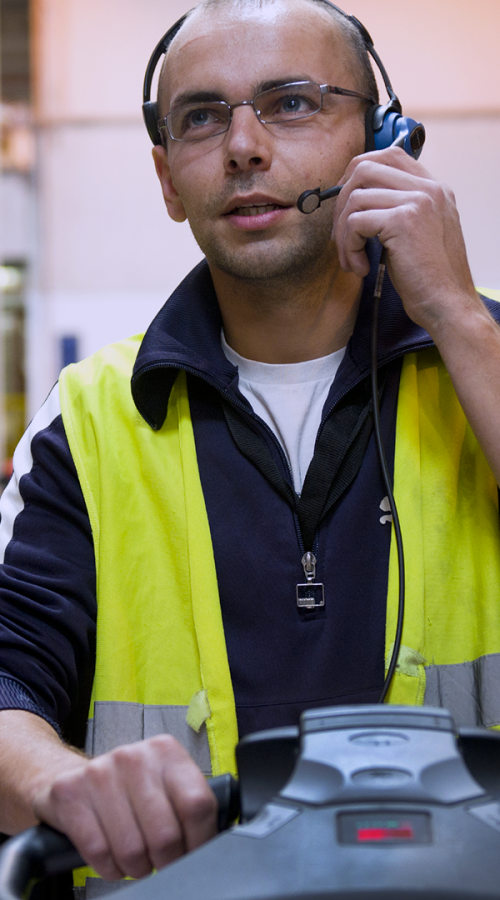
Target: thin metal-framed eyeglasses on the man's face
{"points": [[281, 105]]}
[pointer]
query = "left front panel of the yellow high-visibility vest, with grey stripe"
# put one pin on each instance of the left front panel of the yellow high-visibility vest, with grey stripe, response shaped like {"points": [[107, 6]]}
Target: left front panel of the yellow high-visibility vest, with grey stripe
{"points": [[161, 659]]}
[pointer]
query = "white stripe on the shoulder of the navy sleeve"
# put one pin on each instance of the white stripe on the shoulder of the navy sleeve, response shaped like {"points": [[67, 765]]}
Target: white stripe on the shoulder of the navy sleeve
{"points": [[11, 502]]}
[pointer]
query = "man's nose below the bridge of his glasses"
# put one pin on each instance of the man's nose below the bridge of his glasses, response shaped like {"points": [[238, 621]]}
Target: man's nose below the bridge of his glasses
{"points": [[248, 142]]}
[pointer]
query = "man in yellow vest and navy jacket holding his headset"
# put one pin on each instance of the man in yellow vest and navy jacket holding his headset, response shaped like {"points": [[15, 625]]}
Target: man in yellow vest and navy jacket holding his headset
{"points": [[168, 541]]}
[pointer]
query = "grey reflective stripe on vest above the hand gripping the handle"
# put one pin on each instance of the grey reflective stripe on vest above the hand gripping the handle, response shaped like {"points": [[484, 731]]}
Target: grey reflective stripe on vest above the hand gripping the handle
{"points": [[115, 724]]}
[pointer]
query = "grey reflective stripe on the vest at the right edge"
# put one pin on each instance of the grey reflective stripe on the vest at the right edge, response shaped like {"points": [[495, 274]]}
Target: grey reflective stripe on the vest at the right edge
{"points": [[470, 690]]}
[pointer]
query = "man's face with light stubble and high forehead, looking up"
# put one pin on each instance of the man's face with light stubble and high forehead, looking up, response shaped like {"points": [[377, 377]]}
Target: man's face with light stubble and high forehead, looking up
{"points": [[256, 168]]}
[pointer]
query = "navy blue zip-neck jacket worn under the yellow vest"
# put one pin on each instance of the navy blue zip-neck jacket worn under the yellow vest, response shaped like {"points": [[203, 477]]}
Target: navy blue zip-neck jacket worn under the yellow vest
{"points": [[282, 659]]}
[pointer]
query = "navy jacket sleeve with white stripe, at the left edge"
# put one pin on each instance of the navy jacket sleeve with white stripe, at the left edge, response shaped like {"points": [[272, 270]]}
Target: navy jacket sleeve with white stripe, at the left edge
{"points": [[47, 581]]}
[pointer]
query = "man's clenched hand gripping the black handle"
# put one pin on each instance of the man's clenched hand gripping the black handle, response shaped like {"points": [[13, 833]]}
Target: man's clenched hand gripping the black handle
{"points": [[134, 809]]}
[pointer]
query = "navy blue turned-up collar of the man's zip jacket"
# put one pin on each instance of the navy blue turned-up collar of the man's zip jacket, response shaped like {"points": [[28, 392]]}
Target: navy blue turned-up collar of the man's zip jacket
{"points": [[186, 335]]}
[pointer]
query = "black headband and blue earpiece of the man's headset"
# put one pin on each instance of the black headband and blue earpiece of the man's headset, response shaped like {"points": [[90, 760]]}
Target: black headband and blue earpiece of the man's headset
{"points": [[385, 124]]}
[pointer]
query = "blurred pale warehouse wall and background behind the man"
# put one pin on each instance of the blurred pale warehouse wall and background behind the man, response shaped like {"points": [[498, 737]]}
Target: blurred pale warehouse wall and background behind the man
{"points": [[87, 251]]}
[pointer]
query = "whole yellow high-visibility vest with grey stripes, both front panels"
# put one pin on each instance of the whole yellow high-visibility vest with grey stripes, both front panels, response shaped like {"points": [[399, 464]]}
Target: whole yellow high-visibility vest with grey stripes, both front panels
{"points": [[161, 662]]}
